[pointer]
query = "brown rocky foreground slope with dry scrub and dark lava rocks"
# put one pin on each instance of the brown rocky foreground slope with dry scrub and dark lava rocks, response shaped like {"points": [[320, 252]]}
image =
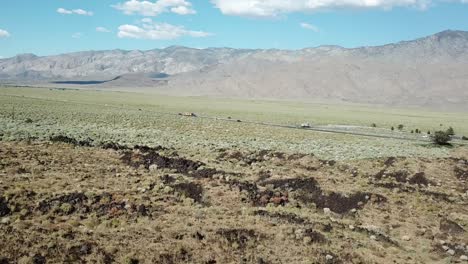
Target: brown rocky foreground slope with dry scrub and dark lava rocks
{"points": [[71, 203]]}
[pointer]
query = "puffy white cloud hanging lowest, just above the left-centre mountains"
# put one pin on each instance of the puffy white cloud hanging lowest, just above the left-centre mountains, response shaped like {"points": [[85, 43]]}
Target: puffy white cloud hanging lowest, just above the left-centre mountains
{"points": [[157, 31]]}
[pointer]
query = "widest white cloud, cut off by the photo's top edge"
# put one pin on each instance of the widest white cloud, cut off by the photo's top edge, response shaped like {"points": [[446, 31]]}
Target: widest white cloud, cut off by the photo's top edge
{"points": [[272, 8]]}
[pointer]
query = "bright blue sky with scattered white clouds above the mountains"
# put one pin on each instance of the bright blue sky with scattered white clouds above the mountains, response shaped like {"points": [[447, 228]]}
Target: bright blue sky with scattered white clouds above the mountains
{"points": [[48, 27]]}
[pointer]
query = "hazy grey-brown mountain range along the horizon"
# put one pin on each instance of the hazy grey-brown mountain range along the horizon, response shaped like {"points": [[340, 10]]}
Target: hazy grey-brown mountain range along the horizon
{"points": [[430, 71]]}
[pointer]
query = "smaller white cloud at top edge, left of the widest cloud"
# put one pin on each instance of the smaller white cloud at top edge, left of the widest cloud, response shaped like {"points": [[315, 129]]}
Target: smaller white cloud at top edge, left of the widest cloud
{"points": [[147, 8]]}
